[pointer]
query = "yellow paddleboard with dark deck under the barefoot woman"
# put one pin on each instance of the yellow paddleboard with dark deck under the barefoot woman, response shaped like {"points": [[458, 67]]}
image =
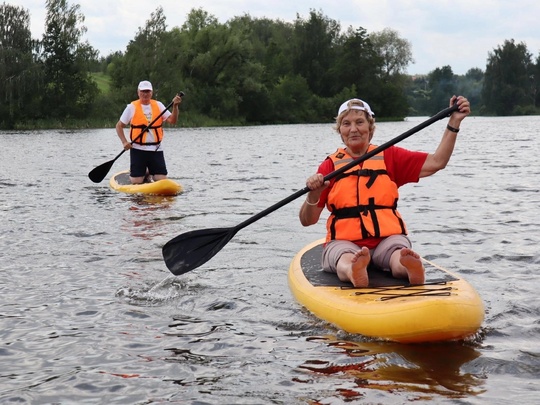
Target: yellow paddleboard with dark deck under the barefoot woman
{"points": [[445, 308]]}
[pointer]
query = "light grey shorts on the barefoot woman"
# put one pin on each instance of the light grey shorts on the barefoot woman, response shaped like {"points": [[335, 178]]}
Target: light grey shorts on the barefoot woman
{"points": [[380, 256]]}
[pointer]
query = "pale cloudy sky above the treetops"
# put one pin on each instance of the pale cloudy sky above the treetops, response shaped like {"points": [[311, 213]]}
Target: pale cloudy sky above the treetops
{"points": [[458, 33]]}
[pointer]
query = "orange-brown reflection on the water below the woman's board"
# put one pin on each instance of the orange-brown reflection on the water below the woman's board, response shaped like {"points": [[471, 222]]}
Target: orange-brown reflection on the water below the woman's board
{"points": [[425, 370]]}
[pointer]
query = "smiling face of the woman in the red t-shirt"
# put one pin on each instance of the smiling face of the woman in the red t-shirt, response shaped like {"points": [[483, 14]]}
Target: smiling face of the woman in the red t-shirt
{"points": [[356, 131]]}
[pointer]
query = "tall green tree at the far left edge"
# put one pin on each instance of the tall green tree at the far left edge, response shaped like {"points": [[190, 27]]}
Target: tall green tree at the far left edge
{"points": [[20, 75]]}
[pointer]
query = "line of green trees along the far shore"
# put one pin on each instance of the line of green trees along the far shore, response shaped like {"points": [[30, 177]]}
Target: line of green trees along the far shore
{"points": [[245, 71]]}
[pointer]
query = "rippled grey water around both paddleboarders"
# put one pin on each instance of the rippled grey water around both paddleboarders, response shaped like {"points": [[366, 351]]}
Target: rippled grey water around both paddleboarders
{"points": [[89, 313]]}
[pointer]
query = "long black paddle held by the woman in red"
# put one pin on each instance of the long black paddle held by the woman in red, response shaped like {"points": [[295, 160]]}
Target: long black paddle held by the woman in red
{"points": [[190, 250]]}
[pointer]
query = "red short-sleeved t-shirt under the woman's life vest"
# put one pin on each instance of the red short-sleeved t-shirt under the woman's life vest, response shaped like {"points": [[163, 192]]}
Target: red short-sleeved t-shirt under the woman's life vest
{"points": [[403, 166]]}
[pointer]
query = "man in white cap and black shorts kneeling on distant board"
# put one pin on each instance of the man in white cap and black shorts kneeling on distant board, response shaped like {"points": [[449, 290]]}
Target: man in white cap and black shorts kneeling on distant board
{"points": [[146, 116]]}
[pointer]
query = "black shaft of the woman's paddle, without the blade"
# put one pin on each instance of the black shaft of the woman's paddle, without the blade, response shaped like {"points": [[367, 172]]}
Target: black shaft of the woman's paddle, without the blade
{"points": [[440, 115]]}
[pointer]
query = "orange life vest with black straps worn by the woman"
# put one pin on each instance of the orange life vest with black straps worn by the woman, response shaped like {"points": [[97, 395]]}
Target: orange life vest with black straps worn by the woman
{"points": [[363, 201]]}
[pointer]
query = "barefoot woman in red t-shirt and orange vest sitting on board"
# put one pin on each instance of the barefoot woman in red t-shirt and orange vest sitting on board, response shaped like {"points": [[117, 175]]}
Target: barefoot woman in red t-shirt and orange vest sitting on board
{"points": [[364, 225]]}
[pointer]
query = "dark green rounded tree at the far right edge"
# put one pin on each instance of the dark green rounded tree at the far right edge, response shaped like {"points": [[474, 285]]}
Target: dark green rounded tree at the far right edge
{"points": [[508, 84]]}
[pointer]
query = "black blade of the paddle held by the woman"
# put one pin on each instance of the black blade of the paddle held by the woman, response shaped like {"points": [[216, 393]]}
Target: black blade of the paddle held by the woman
{"points": [[192, 249]]}
